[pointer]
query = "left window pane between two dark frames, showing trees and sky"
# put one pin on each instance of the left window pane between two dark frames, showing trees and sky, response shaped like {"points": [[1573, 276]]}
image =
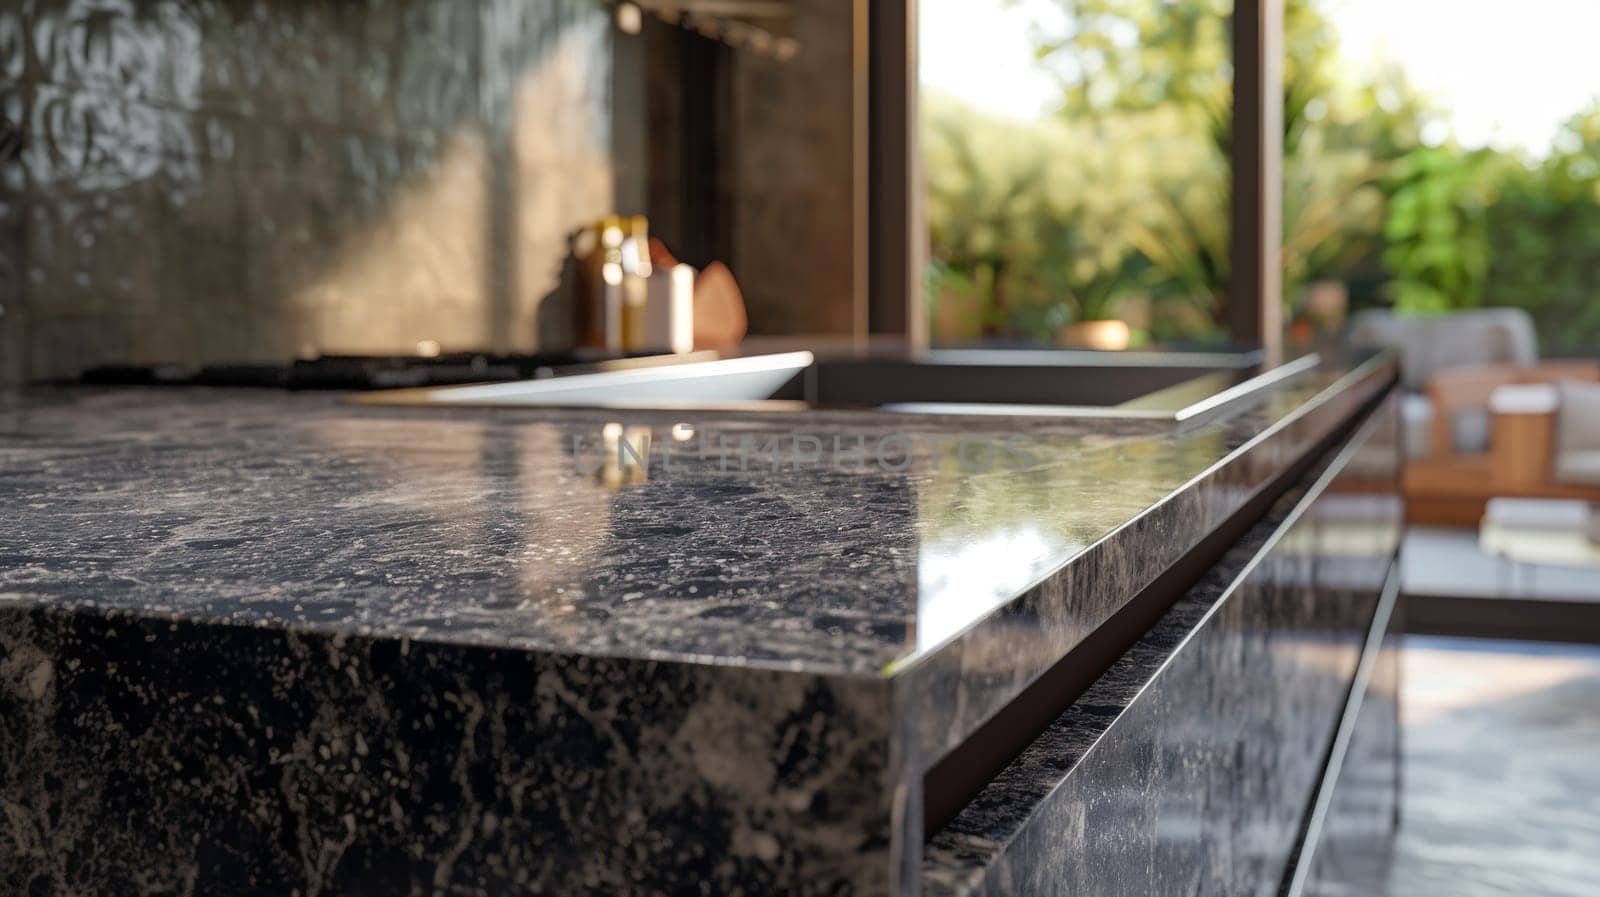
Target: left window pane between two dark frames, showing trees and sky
{"points": [[1076, 157]]}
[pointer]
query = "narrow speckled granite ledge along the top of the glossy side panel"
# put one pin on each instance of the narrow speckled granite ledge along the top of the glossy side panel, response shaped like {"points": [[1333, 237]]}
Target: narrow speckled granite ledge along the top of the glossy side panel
{"points": [[961, 858]]}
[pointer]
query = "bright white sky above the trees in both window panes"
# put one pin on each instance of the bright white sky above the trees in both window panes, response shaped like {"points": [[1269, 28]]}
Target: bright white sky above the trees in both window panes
{"points": [[1510, 71]]}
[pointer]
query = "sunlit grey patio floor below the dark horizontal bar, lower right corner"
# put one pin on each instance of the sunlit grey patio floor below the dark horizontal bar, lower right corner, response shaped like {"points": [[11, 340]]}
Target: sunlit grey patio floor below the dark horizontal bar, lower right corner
{"points": [[1502, 770]]}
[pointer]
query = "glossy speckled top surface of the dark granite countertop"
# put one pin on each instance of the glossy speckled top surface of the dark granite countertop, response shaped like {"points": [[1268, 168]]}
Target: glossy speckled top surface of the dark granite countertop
{"points": [[303, 511]]}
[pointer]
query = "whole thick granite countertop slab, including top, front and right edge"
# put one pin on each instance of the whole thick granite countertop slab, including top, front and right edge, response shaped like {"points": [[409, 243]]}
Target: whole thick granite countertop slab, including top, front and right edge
{"points": [[295, 578]]}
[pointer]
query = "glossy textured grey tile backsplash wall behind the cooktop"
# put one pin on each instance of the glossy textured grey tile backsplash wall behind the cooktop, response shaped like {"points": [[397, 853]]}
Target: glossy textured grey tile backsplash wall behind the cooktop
{"points": [[249, 180]]}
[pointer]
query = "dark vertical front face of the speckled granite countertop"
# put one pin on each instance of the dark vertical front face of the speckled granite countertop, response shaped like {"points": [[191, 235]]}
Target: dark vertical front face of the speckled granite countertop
{"points": [[148, 759]]}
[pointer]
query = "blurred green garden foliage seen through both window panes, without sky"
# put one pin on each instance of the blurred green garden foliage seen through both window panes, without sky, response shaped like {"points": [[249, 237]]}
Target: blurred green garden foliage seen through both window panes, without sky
{"points": [[1118, 207]]}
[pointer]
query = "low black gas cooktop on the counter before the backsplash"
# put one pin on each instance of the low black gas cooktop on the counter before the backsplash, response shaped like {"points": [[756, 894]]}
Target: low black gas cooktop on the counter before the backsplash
{"points": [[362, 372]]}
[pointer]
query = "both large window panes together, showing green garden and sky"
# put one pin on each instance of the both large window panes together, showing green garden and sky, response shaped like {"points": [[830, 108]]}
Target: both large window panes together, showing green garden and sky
{"points": [[1076, 157]]}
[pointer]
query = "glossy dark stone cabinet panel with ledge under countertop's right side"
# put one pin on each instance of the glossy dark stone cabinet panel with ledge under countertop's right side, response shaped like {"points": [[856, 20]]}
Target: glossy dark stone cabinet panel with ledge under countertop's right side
{"points": [[1193, 763]]}
